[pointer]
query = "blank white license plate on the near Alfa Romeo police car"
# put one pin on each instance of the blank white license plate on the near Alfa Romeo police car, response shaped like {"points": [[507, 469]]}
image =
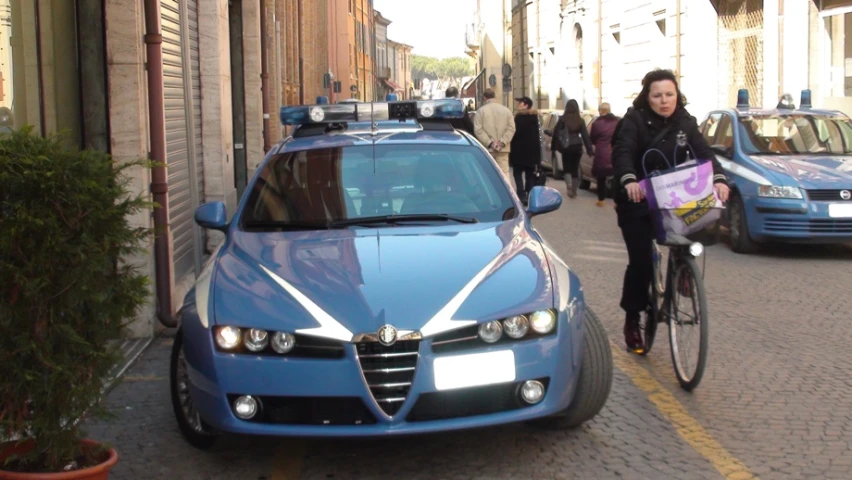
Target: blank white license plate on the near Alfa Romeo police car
{"points": [[474, 370]]}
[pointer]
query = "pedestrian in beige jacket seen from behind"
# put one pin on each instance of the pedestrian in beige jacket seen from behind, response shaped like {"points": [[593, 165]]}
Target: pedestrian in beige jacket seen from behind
{"points": [[494, 125]]}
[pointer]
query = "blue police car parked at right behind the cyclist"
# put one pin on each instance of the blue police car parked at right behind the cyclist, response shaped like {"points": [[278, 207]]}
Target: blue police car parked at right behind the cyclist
{"points": [[790, 171]]}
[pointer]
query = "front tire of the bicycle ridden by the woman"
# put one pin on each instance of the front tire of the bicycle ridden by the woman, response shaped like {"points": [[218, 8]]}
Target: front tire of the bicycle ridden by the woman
{"points": [[689, 380]]}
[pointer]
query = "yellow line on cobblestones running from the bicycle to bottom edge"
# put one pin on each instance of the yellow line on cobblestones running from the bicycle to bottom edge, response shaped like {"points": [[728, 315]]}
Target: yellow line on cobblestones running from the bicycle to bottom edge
{"points": [[686, 426]]}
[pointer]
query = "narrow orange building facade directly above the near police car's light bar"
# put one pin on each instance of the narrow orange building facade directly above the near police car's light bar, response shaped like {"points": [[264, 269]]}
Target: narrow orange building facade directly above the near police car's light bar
{"points": [[351, 46]]}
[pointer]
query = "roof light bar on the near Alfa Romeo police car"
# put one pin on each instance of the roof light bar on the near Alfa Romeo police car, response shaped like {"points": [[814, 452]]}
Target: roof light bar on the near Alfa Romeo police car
{"points": [[372, 112]]}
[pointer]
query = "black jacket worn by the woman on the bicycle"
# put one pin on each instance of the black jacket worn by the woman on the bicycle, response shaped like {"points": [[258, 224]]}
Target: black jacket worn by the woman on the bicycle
{"points": [[638, 128]]}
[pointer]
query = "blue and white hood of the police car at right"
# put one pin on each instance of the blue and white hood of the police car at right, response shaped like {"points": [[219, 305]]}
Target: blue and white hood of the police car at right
{"points": [[812, 172]]}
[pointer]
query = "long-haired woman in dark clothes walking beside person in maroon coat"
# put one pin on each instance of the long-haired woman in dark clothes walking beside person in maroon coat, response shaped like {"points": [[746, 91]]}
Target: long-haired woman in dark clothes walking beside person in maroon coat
{"points": [[570, 135]]}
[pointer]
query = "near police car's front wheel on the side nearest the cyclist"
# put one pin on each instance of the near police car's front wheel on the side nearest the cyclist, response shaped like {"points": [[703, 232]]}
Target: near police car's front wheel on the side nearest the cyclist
{"points": [[595, 380]]}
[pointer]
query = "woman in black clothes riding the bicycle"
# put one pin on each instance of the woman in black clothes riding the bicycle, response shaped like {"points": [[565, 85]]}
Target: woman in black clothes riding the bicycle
{"points": [[657, 120]]}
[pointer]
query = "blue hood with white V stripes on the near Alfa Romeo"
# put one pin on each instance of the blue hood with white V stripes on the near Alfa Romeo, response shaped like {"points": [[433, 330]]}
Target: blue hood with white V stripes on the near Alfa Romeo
{"points": [[339, 283]]}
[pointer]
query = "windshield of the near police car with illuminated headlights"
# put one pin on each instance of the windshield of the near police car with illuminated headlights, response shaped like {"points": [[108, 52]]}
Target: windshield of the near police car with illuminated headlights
{"points": [[324, 187]]}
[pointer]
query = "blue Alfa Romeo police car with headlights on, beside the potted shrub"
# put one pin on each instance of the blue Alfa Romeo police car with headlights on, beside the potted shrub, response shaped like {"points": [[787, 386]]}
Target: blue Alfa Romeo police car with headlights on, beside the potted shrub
{"points": [[380, 277]]}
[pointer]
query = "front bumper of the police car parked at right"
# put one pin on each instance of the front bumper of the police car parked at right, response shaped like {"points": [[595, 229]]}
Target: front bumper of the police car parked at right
{"points": [[795, 221]]}
